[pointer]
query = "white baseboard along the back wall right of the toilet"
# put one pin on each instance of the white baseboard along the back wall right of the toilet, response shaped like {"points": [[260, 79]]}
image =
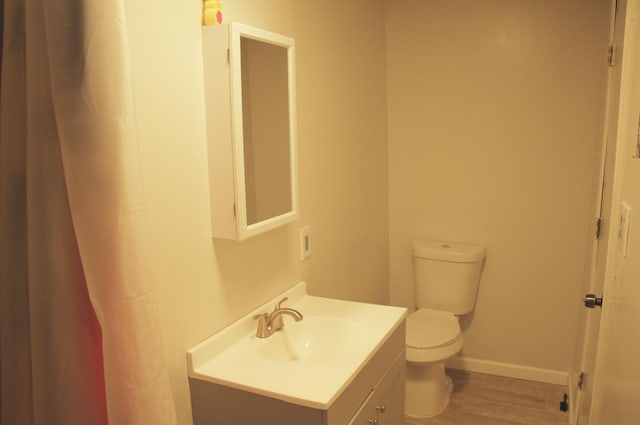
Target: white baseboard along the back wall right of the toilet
{"points": [[509, 370]]}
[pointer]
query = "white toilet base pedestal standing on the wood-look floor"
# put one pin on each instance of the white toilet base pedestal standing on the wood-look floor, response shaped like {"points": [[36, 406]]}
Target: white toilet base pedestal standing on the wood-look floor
{"points": [[427, 389]]}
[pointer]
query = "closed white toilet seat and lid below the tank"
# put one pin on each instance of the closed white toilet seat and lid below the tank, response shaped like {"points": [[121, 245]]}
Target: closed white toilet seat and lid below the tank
{"points": [[432, 335]]}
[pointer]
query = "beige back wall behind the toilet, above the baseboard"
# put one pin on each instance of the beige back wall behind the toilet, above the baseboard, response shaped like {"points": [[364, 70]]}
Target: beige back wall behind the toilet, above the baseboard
{"points": [[494, 121]]}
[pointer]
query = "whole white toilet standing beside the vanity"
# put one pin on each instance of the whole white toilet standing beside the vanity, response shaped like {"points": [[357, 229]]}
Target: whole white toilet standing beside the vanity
{"points": [[446, 277]]}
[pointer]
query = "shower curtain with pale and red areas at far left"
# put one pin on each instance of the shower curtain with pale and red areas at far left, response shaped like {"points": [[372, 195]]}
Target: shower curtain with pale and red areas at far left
{"points": [[80, 340]]}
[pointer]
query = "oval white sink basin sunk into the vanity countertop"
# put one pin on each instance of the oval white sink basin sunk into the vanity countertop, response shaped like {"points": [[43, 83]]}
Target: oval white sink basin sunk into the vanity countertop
{"points": [[314, 340]]}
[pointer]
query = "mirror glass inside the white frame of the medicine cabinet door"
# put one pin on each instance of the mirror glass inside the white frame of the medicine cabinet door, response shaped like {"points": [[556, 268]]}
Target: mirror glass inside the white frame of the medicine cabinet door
{"points": [[265, 127]]}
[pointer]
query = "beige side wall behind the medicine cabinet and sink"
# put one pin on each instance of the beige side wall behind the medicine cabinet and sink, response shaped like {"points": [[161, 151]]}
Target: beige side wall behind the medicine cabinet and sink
{"points": [[203, 285]]}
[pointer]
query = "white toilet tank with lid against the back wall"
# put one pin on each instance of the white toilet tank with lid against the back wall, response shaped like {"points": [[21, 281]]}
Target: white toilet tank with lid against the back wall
{"points": [[447, 275]]}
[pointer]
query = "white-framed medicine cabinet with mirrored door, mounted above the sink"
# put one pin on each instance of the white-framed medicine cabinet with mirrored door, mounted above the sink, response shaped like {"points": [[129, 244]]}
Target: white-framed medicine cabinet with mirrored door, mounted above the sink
{"points": [[249, 77]]}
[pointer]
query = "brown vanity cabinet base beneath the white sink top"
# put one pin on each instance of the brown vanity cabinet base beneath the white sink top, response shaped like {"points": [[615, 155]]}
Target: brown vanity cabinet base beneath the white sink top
{"points": [[374, 395]]}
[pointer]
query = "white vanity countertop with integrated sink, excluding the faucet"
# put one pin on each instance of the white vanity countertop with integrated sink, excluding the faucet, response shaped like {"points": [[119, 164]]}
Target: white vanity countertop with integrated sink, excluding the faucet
{"points": [[307, 363]]}
